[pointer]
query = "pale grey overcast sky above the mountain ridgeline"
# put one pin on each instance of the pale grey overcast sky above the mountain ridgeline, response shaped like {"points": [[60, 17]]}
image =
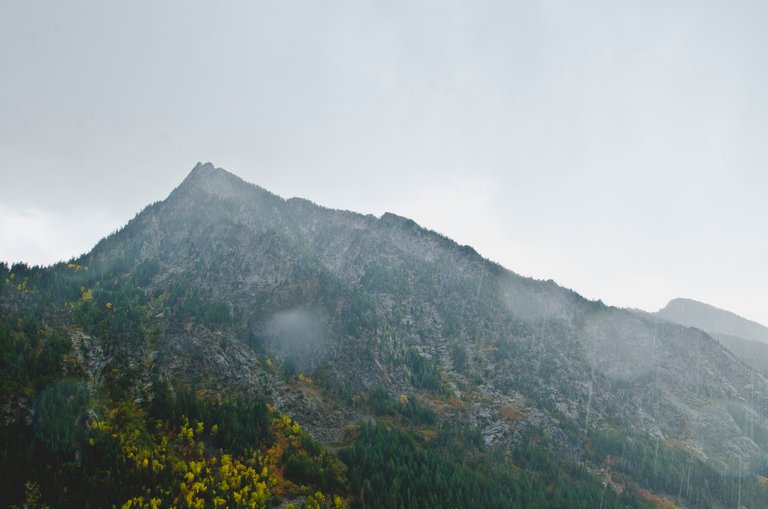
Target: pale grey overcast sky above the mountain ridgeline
{"points": [[619, 148]]}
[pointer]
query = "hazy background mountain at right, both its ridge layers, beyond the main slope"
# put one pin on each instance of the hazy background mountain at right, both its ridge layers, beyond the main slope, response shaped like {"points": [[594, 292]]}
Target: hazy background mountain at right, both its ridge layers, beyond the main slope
{"points": [[747, 340]]}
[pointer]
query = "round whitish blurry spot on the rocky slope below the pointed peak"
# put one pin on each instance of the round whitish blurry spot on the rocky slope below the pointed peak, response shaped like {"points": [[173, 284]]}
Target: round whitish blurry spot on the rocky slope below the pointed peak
{"points": [[299, 337]]}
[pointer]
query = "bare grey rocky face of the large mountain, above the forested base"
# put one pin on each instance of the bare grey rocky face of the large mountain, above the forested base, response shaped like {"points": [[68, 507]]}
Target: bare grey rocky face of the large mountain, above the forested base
{"points": [[244, 291]]}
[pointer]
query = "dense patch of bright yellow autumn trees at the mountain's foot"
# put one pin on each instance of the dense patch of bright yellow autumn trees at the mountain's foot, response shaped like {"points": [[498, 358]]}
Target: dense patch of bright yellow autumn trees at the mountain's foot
{"points": [[200, 477]]}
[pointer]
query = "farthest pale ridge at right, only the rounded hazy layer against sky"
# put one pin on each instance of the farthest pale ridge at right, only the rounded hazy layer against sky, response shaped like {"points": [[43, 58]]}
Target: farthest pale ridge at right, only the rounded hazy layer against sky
{"points": [[713, 320]]}
